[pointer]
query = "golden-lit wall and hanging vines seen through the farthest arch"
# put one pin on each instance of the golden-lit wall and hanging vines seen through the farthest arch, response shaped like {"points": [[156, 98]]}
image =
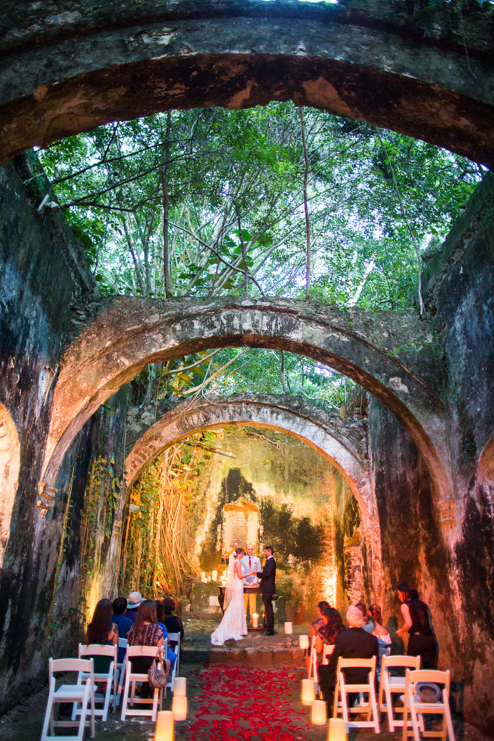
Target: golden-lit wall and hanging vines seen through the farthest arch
{"points": [[262, 487]]}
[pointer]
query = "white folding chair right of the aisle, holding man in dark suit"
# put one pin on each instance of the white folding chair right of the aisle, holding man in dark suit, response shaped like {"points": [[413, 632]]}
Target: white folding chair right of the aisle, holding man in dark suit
{"points": [[342, 689]]}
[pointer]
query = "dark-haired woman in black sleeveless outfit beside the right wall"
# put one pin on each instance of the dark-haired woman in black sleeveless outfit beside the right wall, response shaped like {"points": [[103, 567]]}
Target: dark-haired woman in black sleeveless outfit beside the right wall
{"points": [[416, 616]]}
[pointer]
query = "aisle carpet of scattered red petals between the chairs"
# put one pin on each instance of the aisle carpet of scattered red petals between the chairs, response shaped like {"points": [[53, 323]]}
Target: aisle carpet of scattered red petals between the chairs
{"points": [[246, 703]]}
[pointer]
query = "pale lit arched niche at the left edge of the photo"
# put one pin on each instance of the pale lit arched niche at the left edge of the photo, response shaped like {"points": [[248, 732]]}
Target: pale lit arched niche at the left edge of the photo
{"points": [[9, 474]]}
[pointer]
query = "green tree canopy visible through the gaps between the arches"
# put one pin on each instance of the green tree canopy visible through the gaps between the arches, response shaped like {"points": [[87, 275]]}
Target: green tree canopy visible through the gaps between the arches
{"points": [[268, 201]]}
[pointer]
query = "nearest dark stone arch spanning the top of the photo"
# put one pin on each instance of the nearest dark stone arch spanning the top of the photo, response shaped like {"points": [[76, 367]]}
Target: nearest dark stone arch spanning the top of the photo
{"points": [[67, 73]]}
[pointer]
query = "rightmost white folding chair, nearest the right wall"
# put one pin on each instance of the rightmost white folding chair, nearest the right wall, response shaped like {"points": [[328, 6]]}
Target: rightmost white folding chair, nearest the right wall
{"points": [[417, 708]]}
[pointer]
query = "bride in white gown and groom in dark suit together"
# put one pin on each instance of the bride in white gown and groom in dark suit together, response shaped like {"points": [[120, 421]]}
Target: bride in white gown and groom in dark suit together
{"points": [[246, 568]]}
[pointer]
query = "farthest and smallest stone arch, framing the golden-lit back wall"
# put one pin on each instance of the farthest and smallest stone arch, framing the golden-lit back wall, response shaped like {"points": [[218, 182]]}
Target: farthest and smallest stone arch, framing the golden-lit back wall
{"points": [[340, 442]]}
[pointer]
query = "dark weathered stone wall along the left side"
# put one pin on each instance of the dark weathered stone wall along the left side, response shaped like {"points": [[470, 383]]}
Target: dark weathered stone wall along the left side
{"points": [[42, 272]]}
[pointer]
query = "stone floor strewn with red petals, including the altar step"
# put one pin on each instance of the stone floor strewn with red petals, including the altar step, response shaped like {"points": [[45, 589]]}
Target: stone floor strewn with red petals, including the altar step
{"points": [[241, 700]]}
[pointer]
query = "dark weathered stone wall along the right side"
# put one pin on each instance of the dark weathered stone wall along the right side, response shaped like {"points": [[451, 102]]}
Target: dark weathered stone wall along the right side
{"points": [[446, 548]]}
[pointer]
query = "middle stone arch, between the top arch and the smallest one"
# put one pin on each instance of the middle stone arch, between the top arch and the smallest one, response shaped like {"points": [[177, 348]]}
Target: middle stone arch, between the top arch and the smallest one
{"points": [[130, 332]]}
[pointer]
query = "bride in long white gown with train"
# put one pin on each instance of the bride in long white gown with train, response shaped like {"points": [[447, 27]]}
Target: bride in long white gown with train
{"points": [[233, 625]]}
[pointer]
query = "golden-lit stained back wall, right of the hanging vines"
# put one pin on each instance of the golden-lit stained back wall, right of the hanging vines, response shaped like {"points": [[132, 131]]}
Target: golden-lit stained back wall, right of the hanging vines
{"points": [[307, 511]]}
